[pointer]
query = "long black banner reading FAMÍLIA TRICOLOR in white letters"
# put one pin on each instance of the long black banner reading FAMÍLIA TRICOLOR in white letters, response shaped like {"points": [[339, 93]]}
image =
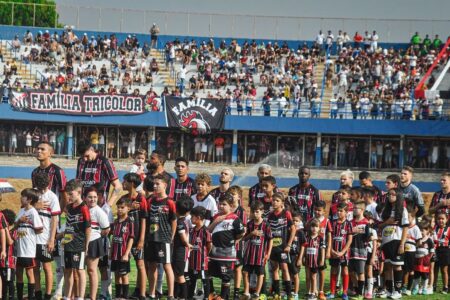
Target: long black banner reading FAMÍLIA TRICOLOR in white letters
{"points": [[41, 101]]}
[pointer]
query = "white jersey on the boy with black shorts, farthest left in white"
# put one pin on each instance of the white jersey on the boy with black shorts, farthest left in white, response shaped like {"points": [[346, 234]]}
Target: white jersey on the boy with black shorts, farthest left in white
{"points": [[26, 235]]}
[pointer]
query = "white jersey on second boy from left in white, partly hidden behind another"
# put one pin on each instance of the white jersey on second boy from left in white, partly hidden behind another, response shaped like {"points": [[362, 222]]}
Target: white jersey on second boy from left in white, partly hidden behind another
{"points": [[47, 214]]}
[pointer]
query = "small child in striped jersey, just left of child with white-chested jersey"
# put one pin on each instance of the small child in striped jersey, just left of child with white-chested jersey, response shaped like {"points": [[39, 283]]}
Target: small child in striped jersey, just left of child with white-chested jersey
{"points": [[200, 239]]}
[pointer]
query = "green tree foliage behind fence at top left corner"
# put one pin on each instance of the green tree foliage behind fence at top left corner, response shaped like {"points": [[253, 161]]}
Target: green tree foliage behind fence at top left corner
{"points": [[39, 13]]}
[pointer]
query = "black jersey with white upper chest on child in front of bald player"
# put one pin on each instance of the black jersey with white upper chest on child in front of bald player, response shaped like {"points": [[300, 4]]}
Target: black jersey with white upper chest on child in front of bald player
{"points": [[224, 237]]}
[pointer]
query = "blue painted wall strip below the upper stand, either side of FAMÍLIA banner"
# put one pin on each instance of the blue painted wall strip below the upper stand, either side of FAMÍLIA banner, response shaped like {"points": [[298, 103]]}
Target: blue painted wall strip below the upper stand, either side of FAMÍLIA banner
{"points": [[254, 124]]}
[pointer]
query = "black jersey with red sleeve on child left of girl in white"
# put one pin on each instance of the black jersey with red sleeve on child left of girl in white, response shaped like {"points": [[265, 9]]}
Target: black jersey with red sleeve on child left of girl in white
{"points": [[78, 219]]}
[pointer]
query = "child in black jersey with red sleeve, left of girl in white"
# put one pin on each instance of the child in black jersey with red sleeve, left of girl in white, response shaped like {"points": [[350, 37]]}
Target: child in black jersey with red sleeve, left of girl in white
{"points": [[76, 240]]}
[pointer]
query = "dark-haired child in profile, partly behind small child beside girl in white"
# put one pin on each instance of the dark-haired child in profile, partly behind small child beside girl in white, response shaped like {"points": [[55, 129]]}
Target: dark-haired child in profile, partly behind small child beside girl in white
{"points": [[137, 215]]}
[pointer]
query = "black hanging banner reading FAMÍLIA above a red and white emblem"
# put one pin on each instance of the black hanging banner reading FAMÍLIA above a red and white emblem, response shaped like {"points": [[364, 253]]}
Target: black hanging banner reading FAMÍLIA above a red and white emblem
{"points": [[198, 116]]}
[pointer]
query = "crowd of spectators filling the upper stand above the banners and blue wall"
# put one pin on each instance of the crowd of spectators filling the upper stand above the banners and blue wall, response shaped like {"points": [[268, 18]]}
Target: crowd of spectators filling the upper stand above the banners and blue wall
{"points": [[367, 81]]}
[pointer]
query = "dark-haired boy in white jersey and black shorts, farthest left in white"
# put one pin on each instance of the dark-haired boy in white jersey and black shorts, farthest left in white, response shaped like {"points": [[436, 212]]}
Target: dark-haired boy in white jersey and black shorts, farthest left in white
{"points": [[28, 224]]}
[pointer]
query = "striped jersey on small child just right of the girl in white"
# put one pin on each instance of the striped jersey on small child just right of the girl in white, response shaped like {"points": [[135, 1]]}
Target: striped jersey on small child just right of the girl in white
{"points": [[122, 232]]}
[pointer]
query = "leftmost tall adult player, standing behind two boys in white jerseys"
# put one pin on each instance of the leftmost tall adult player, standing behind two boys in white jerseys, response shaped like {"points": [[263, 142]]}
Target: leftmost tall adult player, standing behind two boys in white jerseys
{"points": [[57, 176]]}
